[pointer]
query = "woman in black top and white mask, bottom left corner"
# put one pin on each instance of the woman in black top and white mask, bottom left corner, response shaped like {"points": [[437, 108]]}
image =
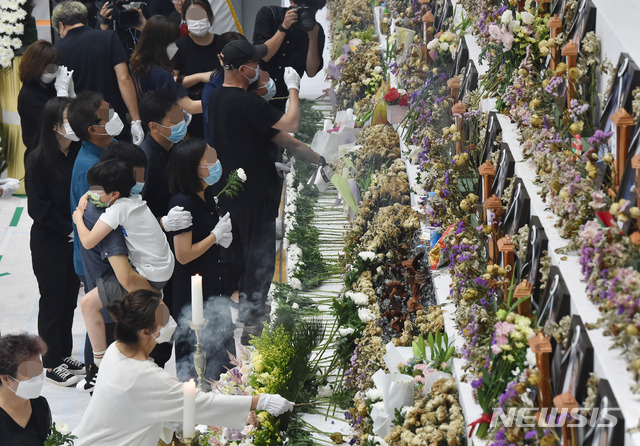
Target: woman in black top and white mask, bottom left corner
{"points": [[25, 417]]}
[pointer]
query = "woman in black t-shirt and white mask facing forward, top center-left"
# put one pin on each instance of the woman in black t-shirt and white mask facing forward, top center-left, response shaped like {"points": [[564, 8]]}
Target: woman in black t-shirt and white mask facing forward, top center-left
{"points": [[197, 57]]}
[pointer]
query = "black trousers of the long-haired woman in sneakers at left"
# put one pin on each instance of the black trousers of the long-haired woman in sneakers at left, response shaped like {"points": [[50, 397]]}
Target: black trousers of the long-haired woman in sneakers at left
{"points": [[52, 260]]}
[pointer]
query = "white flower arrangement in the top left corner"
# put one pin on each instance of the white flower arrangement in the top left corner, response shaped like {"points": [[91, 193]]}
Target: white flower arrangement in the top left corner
{"points": [[17, 29]]}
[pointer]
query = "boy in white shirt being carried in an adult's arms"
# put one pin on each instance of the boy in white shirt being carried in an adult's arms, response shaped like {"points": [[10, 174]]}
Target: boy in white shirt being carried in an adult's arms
{"points": [[114, 187]]}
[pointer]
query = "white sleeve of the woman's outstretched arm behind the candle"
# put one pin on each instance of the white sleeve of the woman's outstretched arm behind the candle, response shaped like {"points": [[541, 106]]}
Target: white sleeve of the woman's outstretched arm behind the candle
{"points": [[162, 397]]}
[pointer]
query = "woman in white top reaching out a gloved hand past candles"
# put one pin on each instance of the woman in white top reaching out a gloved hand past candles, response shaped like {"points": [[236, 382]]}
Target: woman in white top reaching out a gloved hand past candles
{"points": [[134, 398]]}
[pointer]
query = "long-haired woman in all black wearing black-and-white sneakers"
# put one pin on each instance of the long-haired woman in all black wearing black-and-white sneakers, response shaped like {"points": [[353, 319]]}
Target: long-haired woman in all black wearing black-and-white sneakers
{"points": [[48, 182]]}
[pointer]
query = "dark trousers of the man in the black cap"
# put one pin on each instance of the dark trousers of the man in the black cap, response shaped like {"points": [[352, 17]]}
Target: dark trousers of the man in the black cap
{"points": [[255, 228]]}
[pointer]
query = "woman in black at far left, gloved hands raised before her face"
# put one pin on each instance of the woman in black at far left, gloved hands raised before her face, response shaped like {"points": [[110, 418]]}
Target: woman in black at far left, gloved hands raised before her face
{"points": [[38, 69]]}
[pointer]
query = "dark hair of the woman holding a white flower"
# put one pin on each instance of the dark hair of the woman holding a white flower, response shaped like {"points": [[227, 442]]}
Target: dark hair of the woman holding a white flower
{"points": [[182, 168]]}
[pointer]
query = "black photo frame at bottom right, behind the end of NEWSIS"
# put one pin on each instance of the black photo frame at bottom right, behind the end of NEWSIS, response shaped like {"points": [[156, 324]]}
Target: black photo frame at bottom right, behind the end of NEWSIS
{"points": [[601, 430]]}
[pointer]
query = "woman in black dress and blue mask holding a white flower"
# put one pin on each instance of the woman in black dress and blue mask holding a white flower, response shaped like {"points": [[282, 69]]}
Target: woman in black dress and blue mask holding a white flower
{"points": [[192, 169]]}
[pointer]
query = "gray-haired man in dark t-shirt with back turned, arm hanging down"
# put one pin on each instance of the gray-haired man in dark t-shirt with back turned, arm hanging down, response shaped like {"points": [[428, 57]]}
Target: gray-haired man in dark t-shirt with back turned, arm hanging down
{"points": [[99, 62]]}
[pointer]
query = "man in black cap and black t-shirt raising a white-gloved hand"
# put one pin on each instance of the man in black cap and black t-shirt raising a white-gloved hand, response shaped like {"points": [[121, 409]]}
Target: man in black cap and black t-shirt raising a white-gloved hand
{"points": [[242, 127]]}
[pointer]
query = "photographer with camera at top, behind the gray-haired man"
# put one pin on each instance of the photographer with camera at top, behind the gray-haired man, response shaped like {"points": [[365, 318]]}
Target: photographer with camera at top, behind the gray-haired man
{"points": [[125, 18]]}
